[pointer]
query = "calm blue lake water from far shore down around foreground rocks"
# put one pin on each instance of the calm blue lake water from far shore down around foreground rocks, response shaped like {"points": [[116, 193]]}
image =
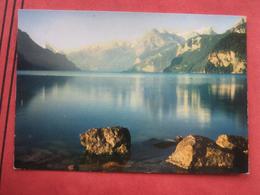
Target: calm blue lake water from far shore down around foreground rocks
{"points": [[53, 108]]}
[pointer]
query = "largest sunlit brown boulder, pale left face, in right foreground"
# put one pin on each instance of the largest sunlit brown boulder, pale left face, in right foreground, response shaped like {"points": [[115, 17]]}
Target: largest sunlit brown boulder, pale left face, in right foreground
{"points": [[200, 152]]}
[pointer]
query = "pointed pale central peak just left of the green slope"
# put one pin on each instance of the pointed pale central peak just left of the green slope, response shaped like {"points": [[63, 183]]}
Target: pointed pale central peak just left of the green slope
{"points": [[155, 50]]}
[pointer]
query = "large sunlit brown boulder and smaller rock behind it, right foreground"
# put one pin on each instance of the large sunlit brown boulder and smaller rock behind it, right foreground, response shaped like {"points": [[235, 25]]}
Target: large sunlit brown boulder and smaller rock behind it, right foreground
{"points": [[200, 152]]}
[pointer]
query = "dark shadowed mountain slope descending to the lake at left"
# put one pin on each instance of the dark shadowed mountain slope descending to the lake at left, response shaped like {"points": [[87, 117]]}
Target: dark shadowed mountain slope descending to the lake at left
{"points": [[31, 56]]}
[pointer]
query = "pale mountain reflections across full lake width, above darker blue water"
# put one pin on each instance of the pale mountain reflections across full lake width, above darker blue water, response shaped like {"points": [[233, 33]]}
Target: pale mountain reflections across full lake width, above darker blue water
{"points": [[183, 97]]}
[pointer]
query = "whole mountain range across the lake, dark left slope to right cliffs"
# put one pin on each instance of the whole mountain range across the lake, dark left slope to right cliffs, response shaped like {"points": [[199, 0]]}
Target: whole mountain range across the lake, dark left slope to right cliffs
{"points": [[202, 51]]}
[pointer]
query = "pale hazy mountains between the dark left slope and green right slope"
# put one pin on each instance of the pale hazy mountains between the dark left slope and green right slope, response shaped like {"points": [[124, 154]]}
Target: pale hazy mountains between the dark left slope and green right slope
{"points": [[151, 53]]}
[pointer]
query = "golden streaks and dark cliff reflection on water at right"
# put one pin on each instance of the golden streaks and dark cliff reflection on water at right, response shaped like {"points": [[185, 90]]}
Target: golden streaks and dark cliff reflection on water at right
{"points": [[200, 102]]}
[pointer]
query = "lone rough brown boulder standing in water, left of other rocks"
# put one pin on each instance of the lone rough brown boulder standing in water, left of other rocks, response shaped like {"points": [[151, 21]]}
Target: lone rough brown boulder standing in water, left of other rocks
{"points": [[106, 141]]}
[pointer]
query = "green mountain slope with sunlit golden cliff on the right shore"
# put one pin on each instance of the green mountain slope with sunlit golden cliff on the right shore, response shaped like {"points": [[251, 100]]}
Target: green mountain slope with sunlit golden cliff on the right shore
{"points": [[214, 53]]}
